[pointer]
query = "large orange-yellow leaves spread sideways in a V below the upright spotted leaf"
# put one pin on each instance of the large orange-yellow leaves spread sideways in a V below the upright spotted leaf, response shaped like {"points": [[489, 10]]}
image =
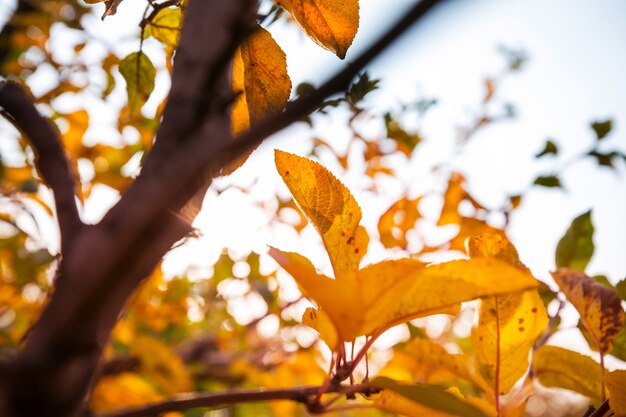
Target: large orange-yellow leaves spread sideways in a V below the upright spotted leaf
{"points": [[393, 292]]}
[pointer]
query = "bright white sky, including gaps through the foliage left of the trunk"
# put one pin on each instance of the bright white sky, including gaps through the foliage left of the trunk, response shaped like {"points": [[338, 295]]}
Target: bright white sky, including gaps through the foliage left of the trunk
{"points": [[576, 74]]}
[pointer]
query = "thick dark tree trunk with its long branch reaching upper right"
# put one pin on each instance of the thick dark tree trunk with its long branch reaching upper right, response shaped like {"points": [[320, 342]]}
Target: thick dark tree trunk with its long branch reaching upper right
{"points": [[106, 263]]}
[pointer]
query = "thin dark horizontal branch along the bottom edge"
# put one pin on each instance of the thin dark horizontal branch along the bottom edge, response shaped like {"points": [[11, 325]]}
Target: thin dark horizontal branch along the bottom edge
{"points": [[184, 402]]}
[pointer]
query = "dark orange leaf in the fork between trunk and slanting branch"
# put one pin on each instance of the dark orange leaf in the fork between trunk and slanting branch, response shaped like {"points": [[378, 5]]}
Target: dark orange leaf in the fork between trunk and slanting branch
{"points": [[261, 82]]}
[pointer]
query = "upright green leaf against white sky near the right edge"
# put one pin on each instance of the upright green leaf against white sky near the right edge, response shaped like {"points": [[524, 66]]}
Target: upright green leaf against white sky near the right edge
{"points": [[576, 247]]}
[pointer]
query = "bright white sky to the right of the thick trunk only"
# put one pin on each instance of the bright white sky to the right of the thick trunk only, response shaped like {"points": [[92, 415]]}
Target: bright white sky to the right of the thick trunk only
{"points": [[574, 76]]}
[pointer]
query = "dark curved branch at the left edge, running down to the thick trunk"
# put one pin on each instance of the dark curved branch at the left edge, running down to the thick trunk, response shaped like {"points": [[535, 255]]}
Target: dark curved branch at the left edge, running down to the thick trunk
{"points": [[19, 108]]}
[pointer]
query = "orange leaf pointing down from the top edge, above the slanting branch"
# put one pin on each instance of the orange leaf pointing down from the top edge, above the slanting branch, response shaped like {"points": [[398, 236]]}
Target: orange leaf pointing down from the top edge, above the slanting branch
{"points": [[332, 24]]}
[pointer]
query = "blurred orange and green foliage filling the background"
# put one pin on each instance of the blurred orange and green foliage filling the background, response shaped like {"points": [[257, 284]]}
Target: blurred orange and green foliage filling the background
{"points": [[183, 333]]}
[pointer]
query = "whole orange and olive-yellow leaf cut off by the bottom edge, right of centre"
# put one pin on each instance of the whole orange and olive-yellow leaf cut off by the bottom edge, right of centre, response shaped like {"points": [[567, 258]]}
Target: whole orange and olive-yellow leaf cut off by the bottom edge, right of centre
{"points": [[422, 396]]}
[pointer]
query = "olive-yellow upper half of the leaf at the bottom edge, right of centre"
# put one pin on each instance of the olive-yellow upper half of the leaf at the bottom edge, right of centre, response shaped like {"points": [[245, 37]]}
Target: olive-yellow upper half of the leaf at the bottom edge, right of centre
{"points": [[431, 396]]}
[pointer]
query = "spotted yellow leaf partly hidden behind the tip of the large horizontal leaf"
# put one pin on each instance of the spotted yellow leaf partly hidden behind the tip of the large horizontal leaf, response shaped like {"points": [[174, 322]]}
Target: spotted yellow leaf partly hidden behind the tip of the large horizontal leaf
{"points": [[508, 325]]}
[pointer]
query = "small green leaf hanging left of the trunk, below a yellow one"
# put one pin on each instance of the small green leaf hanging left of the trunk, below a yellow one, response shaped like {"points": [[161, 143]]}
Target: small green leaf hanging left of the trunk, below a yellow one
{"points": [[139, 73]]}
